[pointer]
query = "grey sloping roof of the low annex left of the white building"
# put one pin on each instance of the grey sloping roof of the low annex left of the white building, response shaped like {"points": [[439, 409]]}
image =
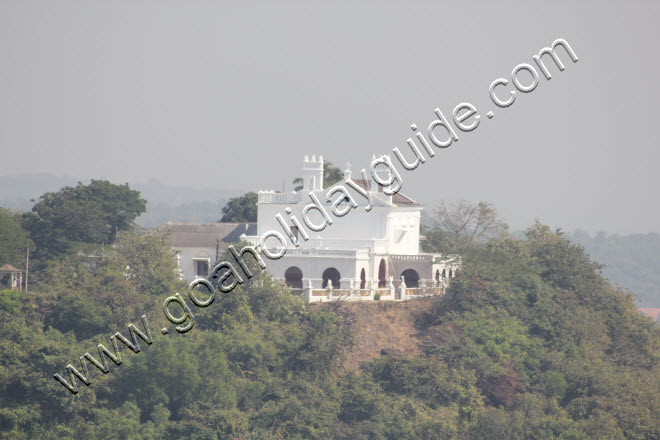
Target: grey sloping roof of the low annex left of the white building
{"points": [[205, 234]]}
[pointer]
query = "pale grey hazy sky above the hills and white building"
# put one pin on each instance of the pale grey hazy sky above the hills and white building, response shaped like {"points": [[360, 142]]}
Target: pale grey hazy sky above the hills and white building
{"points": [[233, 94]]}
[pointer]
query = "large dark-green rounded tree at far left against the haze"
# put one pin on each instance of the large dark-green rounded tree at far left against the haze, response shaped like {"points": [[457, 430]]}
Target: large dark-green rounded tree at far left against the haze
{"points": [[92, 213]]}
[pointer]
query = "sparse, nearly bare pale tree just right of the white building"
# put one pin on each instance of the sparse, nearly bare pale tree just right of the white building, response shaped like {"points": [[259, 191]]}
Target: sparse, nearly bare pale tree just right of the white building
{"points": [[462, 225]]}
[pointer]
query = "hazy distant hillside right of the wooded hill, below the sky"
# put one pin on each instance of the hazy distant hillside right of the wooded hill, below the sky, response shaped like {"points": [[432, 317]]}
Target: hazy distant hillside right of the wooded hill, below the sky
{"points": [[632, 261]]}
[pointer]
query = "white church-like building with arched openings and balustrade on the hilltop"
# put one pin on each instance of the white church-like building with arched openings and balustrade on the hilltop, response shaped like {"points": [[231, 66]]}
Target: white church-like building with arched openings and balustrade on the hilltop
{"points": [[358, 256]]}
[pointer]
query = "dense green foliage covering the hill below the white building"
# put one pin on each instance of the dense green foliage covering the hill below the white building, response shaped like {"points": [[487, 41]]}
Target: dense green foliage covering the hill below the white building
{"points": [[529, 343]]}
